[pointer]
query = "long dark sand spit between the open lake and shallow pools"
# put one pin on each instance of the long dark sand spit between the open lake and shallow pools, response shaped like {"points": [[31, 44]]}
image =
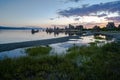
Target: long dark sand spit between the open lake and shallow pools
{"points": [[11, 46]]}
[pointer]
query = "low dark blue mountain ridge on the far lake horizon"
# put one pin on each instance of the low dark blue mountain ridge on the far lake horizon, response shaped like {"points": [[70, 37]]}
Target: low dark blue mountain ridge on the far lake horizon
{"points": [[19, 28]]}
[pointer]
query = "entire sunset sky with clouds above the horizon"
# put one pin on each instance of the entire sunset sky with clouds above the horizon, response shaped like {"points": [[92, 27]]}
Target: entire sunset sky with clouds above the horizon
{"points": [[60, 13]]}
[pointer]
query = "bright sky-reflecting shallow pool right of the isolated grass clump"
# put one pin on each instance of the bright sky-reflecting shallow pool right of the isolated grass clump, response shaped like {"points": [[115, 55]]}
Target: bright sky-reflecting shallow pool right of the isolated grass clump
{"points": [[61, 48]]}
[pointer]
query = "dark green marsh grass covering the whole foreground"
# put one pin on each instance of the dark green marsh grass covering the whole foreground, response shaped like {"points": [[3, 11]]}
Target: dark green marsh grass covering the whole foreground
{"points": [[79, 63]]}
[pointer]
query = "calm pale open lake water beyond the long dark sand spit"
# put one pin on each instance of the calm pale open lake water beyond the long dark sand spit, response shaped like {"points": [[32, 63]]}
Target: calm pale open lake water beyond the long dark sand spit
{"points": [[11, 36]]}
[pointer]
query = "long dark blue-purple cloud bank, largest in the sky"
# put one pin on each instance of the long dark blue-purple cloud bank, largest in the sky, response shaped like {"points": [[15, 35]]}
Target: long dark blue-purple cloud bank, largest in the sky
{"points": [[109, 7]]}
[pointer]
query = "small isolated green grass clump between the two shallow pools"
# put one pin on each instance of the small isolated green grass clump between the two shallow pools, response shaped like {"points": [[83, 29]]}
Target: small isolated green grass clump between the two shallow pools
{"points": [[40, 50]]}
